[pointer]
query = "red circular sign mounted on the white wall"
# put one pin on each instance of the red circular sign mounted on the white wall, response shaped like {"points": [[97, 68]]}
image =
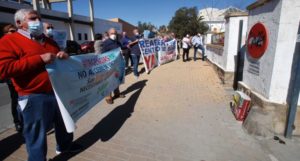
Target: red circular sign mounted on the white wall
{"points": [[258, 40]]}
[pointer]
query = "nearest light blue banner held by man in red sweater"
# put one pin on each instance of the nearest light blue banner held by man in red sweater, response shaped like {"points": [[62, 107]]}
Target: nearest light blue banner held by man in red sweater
{"points": [[82, 81]]}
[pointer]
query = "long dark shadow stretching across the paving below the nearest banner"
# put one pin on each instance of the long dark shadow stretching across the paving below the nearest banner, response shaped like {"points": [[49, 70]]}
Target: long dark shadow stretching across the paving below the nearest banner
{"points": [[109, 125]]}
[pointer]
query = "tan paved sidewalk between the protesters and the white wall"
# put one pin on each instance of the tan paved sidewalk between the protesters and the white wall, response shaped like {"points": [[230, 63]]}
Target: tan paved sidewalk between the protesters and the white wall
{"points": [[179, 112]]}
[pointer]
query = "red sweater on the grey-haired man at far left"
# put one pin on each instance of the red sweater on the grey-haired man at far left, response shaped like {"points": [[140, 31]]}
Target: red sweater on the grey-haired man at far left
{"points": [[20, 60]]}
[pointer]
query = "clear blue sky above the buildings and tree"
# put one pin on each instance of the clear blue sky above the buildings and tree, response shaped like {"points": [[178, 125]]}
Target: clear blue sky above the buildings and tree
{"points": [[158, 12]]}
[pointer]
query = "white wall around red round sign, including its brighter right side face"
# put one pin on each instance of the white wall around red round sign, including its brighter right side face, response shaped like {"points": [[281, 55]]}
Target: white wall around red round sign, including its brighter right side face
{"points": [[274, 66]]}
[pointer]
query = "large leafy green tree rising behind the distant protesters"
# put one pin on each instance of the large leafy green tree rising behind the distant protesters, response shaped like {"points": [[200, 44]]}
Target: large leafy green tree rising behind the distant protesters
{"points": [[186, 21]]}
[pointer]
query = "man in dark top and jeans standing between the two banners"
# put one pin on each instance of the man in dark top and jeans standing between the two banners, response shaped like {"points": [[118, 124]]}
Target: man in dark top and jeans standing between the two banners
{"points": [[135, 52]]}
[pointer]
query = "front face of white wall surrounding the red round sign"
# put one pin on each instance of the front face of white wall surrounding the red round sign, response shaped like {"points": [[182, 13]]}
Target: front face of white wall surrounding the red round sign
{"points": [[260, 82]]}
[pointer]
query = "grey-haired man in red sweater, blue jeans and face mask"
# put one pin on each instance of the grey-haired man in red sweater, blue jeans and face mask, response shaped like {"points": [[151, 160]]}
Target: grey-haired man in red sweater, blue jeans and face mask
{"points": [[23, 56]]}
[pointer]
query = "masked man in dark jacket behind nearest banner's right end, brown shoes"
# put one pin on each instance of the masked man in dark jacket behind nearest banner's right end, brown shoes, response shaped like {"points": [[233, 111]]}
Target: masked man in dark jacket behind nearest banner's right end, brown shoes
{"points": [[110, 44]]}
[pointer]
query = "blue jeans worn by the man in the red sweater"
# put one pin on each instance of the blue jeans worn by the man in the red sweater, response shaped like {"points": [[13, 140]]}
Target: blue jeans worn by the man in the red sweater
{"points": [[40, 112]]}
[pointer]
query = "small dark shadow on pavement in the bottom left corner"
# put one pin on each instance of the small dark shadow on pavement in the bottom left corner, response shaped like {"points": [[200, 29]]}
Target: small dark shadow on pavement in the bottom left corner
{"points": [[10, 145]]}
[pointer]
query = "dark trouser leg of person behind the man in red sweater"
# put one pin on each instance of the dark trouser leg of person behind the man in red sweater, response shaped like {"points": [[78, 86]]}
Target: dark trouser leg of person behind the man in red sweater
{"points": [[14, 103]]}
